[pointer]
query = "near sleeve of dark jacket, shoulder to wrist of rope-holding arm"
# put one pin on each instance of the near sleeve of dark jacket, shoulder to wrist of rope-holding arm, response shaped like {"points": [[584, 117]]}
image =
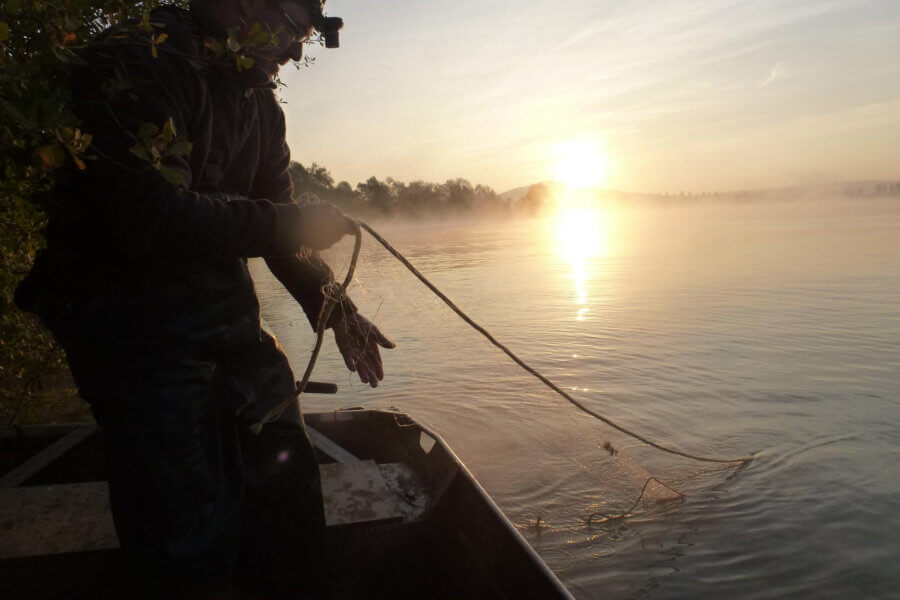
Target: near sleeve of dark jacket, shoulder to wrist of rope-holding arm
{"points": [[149, 216]]}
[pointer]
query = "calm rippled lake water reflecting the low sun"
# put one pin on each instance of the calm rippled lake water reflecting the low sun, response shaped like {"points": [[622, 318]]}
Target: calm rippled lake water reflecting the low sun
{"points": [[724, 330]]}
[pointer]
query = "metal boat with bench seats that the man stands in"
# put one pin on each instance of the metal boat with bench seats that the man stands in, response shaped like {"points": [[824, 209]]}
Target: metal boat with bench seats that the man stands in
{"points": [[405, 518]]}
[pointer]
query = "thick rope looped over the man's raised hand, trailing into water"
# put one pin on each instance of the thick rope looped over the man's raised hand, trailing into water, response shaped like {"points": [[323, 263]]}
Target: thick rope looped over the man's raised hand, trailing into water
{"points": [[333, 299]]}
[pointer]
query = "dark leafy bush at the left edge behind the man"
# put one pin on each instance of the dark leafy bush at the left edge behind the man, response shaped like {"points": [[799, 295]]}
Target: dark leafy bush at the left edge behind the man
{"points": [[41, 41]]}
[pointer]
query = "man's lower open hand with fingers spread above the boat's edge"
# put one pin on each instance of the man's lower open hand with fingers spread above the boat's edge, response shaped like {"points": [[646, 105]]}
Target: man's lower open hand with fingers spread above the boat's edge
{"points": [[358, 340]]}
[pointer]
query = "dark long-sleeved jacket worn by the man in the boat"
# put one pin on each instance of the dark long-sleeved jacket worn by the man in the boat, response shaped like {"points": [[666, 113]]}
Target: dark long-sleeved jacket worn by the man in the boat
{"points": [[153, 264]]}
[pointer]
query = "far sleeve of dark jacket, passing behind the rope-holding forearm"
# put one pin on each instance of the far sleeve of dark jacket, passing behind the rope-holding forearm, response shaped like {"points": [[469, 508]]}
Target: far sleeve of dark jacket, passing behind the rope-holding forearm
{"points": [[303, 274]]}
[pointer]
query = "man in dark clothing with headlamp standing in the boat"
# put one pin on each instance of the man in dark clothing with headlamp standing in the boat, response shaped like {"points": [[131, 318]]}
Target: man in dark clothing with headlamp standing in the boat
{"points": [[145, 285]]}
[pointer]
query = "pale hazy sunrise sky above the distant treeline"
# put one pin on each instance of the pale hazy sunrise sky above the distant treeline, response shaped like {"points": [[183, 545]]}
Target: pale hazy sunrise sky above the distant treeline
{"points": [[692, 95]]}
